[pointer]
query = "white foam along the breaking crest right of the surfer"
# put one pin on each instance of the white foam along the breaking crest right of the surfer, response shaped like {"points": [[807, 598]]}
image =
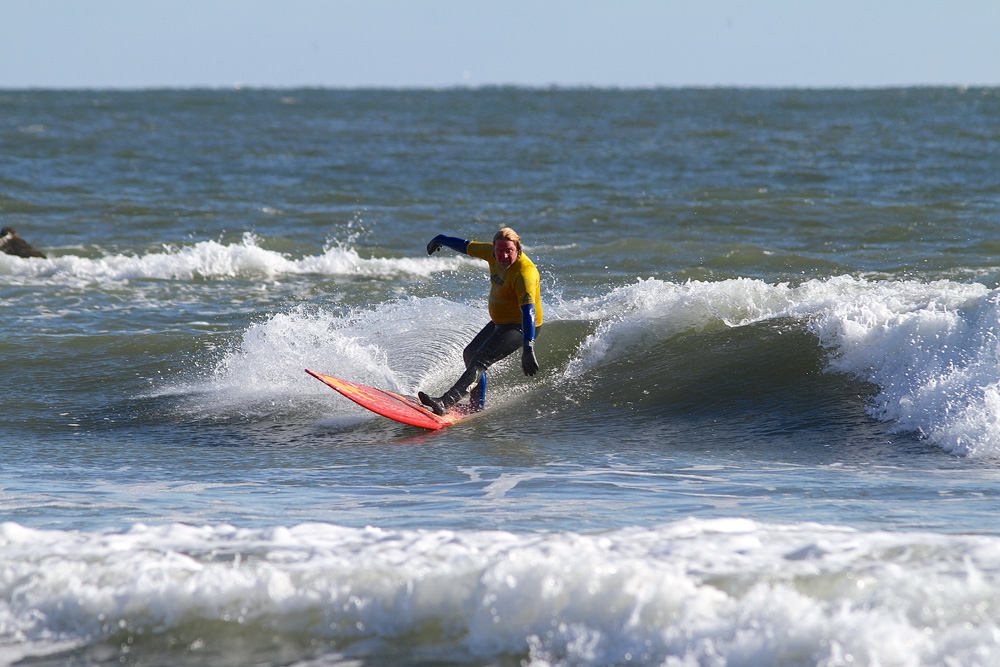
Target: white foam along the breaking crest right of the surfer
{"points": [[930, 347]]}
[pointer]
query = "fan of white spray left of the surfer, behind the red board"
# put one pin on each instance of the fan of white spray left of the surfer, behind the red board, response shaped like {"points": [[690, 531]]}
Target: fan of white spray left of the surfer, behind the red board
{"points": [[395, 346]]}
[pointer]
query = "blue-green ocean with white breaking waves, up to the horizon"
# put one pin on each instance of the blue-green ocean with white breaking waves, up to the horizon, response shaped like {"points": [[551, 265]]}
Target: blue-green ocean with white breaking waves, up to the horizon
{"points": [[766, 429]]}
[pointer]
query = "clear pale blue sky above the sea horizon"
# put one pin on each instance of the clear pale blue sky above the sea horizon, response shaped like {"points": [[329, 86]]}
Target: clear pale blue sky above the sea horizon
{"points": [[447, 43]]}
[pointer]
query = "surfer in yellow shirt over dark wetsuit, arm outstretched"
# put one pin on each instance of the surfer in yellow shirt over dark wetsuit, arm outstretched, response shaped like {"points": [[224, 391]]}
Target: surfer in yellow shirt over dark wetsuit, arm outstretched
{"points": [[515, 308]]}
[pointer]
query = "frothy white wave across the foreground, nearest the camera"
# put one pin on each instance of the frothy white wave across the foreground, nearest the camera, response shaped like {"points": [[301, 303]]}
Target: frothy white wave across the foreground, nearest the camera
{"points": [[726, 591]]}
